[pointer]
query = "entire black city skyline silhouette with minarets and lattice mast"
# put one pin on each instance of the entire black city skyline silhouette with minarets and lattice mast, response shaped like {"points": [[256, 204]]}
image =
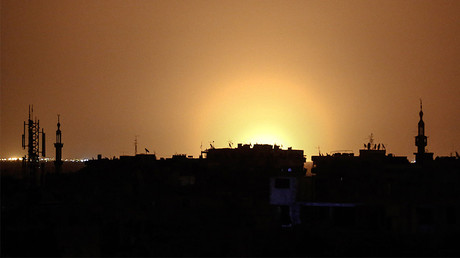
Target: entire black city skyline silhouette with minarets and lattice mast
{"points": [[248, 200]]}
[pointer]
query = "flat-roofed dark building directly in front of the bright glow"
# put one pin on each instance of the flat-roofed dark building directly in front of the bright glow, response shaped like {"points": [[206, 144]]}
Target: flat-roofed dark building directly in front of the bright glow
{"points": [[261, 165]]}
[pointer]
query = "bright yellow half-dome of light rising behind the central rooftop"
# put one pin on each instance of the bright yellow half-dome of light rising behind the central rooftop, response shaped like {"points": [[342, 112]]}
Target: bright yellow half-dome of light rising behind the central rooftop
{"points": [[264, 110]]}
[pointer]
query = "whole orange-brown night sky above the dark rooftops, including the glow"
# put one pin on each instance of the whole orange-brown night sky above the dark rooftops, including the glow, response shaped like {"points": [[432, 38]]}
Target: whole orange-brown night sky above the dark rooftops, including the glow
{"points": [[181, 74]]}
